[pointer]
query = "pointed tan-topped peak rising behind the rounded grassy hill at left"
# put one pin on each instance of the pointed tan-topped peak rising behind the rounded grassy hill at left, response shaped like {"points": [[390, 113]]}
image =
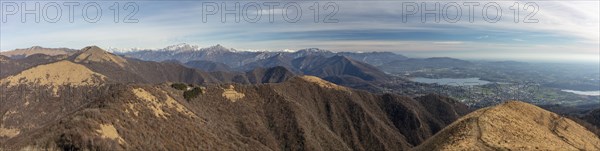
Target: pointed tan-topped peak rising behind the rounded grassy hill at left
{"points": [[96, 54]]}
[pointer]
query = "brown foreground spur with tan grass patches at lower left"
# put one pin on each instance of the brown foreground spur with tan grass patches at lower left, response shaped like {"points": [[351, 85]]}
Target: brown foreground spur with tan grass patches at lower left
{"points": [[134, 118]]}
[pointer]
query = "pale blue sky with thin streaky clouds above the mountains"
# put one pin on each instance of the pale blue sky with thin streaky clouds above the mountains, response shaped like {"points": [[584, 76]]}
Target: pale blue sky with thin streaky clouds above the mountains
{"points": [[564, 31]]}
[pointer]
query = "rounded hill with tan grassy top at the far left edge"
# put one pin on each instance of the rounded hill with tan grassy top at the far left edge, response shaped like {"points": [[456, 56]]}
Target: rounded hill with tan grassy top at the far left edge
{"points": [[44, 93]]}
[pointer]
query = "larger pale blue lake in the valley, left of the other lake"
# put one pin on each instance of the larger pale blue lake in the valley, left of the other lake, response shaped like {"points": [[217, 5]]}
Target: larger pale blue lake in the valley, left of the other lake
{"points": [[452, 81]]}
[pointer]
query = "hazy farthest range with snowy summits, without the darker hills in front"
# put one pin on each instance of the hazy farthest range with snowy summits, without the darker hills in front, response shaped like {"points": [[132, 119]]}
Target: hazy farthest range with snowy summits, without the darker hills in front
{"points": [[234, 58]]}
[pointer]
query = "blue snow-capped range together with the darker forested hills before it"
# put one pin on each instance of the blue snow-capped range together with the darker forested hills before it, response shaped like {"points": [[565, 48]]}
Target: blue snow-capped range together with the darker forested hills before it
{"points": [[312, 61]]}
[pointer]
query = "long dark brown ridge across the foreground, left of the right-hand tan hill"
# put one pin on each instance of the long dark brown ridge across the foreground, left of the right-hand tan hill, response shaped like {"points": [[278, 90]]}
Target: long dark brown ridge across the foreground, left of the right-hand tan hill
{"points": [[294, 115]]}
